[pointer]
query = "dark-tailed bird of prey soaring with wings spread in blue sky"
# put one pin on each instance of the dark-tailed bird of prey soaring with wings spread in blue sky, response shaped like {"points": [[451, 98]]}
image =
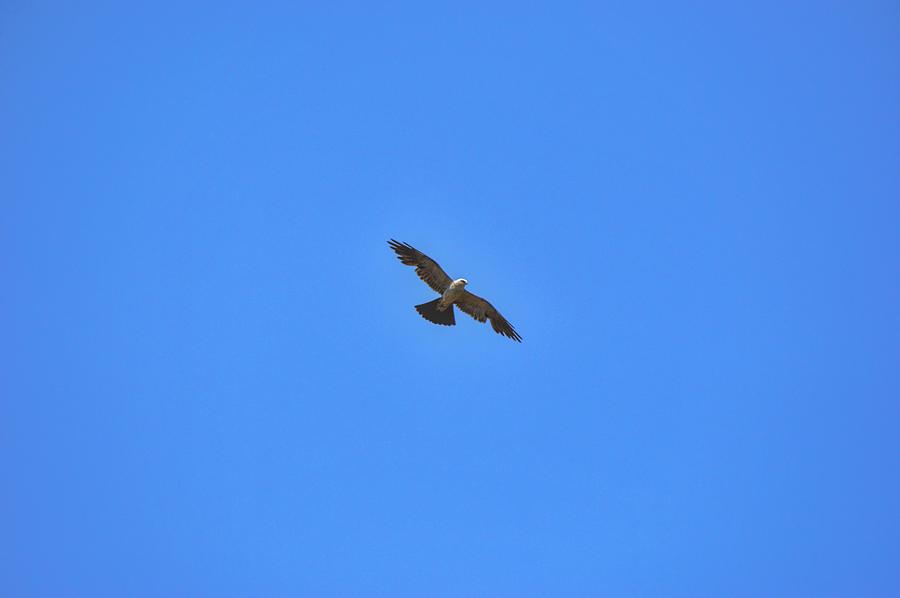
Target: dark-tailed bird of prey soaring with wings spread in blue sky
{"points": [[453, 292]]}
